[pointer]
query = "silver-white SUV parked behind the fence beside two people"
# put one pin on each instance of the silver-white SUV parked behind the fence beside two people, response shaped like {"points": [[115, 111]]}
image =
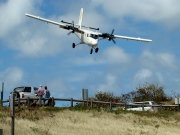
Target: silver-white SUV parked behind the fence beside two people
{"points": [[24, 92]]}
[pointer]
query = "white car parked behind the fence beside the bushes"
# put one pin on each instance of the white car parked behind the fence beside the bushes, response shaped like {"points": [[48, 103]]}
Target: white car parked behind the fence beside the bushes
{"points": [[137, 106]]}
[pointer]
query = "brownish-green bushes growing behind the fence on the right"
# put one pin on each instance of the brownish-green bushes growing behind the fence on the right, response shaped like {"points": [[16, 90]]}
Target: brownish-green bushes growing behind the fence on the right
{"points": [[146, 92]]}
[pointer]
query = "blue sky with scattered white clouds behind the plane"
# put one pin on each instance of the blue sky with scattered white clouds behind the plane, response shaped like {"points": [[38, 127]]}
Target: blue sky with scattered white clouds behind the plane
{"points": [[34, 52]]}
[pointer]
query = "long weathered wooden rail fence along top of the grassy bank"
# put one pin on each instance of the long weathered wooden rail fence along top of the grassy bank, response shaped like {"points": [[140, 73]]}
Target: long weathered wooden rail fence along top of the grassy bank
{"points": [[91, 103]]}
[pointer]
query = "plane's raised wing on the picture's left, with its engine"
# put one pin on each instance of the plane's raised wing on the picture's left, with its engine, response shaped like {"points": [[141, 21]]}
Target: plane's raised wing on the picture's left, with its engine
{"points": [[68, 26]]}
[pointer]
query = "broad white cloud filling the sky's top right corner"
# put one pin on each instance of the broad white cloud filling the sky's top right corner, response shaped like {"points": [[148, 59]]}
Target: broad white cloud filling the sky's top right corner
{"points": [[166, 12]]}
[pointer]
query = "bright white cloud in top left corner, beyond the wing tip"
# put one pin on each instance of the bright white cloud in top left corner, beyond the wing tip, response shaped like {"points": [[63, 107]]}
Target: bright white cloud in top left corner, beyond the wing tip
{"points": [[12, 14]]}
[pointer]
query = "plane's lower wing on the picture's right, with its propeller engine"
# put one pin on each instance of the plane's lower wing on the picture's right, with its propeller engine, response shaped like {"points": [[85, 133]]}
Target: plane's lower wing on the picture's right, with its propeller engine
{"points": [[112, 37]]}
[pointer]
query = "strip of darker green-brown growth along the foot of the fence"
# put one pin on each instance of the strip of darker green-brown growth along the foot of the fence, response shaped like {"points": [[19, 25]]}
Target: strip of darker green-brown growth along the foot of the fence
{"points": [[40, 112]]}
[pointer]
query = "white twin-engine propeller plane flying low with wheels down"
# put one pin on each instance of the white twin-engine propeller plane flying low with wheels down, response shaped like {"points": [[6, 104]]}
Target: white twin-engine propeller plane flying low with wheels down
{"points": [[87, 35]]}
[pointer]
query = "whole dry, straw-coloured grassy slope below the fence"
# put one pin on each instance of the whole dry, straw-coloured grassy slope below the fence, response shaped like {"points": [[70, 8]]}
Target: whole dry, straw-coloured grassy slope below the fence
{"points": [[81, 120]]}
